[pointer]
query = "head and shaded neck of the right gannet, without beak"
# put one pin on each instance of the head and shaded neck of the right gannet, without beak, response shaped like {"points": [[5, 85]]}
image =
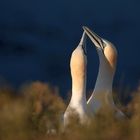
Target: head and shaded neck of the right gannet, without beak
{"points": [[107, 67]]}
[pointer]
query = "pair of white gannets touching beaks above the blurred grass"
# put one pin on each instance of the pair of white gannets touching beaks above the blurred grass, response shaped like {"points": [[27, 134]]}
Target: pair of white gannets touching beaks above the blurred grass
{"points": [[102, 93]]}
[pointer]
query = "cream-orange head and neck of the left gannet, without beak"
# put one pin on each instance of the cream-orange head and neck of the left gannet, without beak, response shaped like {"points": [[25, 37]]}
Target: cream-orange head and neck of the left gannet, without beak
{"points": [[78, 74]]}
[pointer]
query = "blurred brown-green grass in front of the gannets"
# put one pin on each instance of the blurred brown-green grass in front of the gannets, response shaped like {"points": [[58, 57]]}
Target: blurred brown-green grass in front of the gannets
{"points": [[38, 108]]}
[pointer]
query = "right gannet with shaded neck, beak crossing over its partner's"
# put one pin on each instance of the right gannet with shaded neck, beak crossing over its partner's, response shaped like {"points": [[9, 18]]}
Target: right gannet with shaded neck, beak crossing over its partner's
{"points": [[102, 93]]}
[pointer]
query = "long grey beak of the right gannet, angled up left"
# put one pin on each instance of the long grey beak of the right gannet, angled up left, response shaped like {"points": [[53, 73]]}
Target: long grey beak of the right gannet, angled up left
{"points": [[97, 40]]}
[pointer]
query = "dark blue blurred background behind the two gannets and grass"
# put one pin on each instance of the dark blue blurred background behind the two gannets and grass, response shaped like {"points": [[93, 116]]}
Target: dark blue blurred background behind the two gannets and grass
{"points": [[38, 36]]}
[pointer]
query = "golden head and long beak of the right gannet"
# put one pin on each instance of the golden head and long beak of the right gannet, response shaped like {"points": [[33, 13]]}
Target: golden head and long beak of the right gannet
{"points": [[106, 47]]}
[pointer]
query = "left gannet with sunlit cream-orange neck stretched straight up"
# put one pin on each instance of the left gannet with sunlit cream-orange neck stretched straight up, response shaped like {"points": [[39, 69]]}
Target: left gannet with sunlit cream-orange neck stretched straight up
{"points": [[78, 103]]}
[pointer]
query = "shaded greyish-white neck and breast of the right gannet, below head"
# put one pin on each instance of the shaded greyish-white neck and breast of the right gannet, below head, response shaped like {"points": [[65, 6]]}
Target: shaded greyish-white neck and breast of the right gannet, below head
{"points": [[102, 93]]}
